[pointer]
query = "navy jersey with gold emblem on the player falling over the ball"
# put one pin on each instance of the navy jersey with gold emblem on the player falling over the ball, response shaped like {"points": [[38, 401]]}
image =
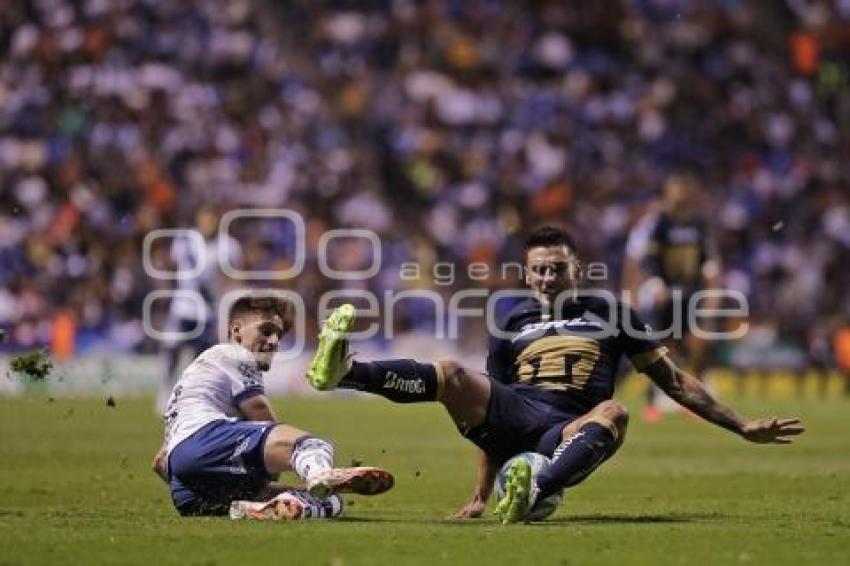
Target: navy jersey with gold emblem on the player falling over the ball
{"points": [[569, 361]]}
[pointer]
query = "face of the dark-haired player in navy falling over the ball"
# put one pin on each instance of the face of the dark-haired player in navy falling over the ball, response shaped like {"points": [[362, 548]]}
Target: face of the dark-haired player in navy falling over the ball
{"points": [[550, 271]]}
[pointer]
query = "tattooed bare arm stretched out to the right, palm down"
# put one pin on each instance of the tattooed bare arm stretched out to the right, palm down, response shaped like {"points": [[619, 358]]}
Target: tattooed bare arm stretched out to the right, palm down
{"points": [[687, 390]]}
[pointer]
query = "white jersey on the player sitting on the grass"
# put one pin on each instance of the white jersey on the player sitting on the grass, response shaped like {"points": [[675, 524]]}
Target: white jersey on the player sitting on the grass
{"points": [[211, 389]]}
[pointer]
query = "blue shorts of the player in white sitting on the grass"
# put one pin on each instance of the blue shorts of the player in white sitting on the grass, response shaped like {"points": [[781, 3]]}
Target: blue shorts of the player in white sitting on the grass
{"points": [[219, 463]]}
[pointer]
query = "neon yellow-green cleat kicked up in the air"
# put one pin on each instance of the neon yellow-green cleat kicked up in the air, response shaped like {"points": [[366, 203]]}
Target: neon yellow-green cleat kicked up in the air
{"points": [[332, 362]]}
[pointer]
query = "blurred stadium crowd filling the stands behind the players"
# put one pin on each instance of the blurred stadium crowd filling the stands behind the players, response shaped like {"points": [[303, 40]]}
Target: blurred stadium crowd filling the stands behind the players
{"points": [[448, 127]]}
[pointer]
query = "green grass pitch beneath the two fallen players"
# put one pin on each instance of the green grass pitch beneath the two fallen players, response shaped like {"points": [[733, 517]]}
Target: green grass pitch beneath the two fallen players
{"points": [[75, 488]]}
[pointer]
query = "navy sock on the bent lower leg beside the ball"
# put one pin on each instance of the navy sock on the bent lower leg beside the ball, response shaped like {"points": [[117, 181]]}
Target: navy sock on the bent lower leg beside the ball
{"points": [[576, 457]]}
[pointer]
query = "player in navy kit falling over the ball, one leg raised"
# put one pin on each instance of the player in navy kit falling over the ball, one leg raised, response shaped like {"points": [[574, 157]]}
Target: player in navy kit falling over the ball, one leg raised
{"points": [[551, 367]]}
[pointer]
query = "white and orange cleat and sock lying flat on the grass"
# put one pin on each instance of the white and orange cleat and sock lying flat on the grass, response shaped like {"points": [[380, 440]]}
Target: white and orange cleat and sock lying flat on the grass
{"points": [[290, 505]]}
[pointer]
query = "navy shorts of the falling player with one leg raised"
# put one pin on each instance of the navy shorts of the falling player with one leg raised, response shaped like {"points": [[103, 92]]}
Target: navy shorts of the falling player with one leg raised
{"points": [[516, 423]]}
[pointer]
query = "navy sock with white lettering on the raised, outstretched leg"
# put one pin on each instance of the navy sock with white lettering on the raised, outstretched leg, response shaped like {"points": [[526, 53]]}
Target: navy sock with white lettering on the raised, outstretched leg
{"points": [[402, 381]]}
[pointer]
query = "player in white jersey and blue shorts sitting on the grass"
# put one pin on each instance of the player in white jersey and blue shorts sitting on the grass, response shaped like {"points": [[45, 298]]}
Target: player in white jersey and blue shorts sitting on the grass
{"points": [[223, 445]]}
